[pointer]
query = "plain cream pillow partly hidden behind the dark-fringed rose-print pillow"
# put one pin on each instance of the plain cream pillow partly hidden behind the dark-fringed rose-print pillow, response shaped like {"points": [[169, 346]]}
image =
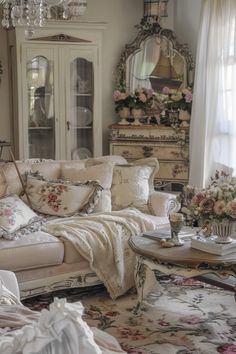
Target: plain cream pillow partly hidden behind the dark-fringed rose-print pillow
{"points": [[102, 172]]}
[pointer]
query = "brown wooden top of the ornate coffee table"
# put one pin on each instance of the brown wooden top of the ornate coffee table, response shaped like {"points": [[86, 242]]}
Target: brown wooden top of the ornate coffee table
{"points": [[178, 255]]}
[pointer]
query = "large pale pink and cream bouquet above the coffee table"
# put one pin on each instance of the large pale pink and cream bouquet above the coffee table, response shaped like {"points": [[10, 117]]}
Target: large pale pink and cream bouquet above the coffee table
{"points": [[217, 202]]}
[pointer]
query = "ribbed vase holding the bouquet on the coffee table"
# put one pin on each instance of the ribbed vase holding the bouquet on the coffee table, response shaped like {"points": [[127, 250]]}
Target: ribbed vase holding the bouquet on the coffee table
{"points": [[223, 229]]}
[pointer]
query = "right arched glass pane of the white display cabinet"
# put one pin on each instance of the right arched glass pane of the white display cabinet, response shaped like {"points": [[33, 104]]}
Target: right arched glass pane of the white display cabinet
{"points": [[80, 118]]}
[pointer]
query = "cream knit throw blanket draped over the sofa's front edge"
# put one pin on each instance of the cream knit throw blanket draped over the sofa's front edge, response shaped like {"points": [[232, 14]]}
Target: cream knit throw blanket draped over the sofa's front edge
{"points": [[102, 239]]}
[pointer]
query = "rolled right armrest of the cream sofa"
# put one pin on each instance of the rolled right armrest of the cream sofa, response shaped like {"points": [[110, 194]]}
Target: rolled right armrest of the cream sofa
{"points": [[162, 204]]}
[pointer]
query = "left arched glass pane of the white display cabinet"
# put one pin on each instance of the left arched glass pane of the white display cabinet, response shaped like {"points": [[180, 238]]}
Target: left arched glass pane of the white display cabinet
{"points": [[41, 116]]}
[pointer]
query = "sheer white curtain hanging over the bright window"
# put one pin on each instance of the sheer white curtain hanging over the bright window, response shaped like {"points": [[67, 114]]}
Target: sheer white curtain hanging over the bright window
{"points": [[213, 126]]}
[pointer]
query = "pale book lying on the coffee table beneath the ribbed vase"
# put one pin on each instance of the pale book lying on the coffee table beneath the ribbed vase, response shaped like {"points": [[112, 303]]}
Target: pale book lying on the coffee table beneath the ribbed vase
{"points": [[210, 246]]}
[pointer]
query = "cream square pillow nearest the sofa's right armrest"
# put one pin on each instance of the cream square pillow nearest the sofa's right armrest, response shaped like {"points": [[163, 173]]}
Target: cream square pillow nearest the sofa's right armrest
{"points": [[133, 183]]}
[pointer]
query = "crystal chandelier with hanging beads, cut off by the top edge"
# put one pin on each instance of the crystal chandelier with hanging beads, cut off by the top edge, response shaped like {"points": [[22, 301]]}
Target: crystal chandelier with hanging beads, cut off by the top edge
{"points": [[34, 13]]}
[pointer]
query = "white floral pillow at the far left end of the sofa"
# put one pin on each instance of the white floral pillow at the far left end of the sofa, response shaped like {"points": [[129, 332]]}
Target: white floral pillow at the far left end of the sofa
{"points": [[14, 215]]}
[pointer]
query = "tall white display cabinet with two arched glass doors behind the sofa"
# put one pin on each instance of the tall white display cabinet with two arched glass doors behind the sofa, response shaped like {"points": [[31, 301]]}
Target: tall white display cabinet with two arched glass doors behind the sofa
{"points": [[57, 98]]}
